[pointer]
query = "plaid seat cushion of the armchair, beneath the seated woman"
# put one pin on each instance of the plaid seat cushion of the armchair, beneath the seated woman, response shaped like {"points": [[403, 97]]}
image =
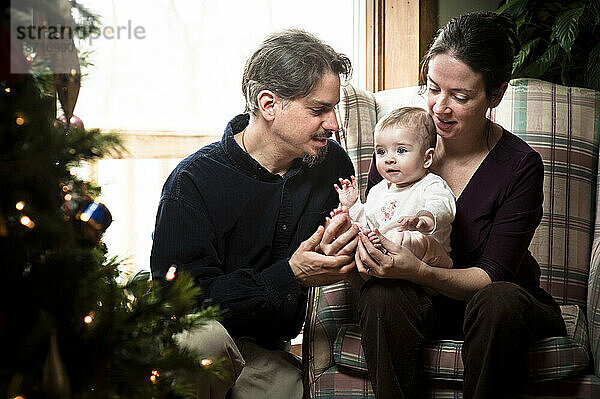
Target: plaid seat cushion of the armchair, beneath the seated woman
{"points": [[549, 359]]}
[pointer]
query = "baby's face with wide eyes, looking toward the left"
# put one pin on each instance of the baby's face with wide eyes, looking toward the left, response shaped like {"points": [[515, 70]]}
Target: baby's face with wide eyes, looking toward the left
{"points": [[400, 155]]}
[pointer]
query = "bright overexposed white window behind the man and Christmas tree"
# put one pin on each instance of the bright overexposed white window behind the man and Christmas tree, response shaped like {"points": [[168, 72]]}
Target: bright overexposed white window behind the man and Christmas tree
{"points": [[174, 87]]}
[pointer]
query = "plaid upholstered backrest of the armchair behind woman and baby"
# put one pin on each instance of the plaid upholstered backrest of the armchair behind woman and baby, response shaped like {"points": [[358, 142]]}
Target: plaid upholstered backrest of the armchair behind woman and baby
{"points": [[563, 125]]}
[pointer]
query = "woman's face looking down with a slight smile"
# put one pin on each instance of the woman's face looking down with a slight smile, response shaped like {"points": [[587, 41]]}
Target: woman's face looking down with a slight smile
{"points": [[456, 98]]}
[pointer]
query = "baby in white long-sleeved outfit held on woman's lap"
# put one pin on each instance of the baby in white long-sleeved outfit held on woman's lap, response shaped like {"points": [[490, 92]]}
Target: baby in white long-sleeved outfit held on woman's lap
{"points": [[409, 199]]}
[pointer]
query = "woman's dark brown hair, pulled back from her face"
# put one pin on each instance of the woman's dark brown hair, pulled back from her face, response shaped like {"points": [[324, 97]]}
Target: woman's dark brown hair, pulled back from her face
{"points": [[485, 41]]}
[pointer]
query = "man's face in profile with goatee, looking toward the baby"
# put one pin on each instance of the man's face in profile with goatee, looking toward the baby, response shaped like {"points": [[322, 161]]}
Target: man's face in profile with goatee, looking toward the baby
{"points": [[303, 125]]}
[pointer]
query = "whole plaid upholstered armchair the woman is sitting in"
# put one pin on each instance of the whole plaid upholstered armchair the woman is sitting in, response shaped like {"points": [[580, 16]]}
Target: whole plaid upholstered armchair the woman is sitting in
{"points": [[563, 125]]}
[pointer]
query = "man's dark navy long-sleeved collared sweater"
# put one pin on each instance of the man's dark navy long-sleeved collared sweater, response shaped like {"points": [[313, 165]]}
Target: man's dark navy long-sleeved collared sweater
{"points": [[233, 225]]}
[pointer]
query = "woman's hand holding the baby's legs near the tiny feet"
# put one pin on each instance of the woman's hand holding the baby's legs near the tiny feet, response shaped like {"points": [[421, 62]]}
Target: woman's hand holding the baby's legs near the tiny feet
{"points": [[394, 261]]}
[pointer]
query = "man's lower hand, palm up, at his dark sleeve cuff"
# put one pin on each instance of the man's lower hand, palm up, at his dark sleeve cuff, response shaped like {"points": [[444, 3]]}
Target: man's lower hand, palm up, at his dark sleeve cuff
{"points": [[313, 269]]}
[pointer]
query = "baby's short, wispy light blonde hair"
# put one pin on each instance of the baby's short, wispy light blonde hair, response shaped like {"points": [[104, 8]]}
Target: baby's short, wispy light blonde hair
{"points": [[413, 118]]}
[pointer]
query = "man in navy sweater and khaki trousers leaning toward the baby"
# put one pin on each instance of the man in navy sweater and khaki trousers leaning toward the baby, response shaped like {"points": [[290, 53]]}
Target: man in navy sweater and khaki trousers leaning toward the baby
{"points": [[242, 215]]}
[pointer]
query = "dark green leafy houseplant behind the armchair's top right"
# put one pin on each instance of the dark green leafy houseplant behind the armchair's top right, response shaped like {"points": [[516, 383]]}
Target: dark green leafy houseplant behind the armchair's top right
{"points": [[560, 40]]}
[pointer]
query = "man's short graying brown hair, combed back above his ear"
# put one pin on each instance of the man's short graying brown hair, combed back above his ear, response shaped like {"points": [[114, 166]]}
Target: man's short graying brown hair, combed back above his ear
{"points": [[290, 63]]}
